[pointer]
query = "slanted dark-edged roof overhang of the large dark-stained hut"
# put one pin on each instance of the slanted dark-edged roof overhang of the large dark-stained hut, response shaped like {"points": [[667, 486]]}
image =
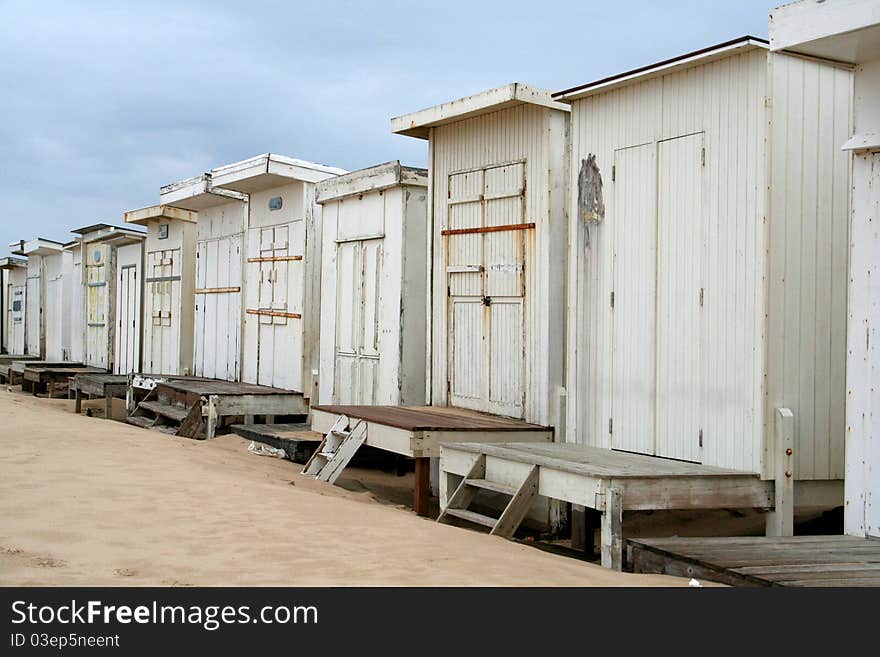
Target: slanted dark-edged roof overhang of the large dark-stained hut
{"points": [[688, 60]]}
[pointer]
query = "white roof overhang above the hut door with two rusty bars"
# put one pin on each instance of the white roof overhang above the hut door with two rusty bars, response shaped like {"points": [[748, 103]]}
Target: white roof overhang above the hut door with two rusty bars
{"points": [[269, 170]]}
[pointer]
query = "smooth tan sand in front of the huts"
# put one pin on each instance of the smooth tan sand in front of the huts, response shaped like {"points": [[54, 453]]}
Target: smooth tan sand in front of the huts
{"points": [[88, 501]]}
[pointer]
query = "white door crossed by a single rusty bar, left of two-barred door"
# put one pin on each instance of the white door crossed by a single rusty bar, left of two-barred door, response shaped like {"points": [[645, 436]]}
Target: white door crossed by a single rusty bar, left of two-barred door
{"points": [[218, 308]]}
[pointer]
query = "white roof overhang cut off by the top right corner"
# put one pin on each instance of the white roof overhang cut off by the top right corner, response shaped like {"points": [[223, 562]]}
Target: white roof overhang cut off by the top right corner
{"points": [[839, 30]]}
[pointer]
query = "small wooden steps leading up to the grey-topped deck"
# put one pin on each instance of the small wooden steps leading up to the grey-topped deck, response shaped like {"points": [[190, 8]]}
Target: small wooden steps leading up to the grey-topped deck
{"points": [[521, 498]]}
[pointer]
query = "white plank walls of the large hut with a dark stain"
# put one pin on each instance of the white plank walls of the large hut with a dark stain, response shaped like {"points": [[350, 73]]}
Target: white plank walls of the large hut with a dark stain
{"points": [[761, 239]]}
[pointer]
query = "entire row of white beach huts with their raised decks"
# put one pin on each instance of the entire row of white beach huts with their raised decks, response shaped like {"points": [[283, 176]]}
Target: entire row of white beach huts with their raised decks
{"points": [[652, 291]]}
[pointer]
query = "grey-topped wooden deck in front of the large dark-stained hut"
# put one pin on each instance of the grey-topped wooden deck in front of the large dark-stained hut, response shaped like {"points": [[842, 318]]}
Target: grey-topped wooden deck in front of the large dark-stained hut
{"points": [[605, 480]]}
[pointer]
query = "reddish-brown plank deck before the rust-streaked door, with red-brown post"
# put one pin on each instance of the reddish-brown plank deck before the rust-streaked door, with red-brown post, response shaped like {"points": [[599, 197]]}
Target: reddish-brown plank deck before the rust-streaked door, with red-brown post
{"points": [[418, 431]]}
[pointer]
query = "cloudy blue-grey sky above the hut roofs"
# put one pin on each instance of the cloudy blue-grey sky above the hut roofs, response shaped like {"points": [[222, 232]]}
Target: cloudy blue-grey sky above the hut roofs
{"points": [[101, 103]]}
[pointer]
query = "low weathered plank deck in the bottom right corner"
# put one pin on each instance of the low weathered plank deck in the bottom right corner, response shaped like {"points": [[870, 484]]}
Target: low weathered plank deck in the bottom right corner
{"points": [[827, 561]]}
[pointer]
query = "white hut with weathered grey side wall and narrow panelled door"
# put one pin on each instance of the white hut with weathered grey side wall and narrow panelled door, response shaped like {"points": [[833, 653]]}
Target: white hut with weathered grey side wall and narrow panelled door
{"points": [[373, 286]]}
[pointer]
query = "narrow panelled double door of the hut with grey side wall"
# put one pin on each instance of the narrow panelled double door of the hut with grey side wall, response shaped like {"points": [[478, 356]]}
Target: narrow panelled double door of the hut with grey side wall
{"points": [[358, 272]]}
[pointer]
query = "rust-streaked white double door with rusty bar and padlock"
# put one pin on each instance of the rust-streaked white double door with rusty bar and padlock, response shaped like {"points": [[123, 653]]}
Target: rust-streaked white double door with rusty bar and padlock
{"points": [[485, 255]]}
